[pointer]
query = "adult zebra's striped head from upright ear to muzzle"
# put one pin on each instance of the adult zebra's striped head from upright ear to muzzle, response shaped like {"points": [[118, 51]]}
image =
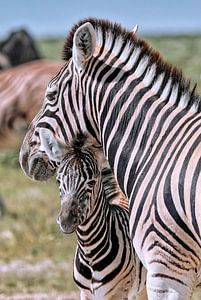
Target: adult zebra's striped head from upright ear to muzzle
{"points": [[64, 125]]}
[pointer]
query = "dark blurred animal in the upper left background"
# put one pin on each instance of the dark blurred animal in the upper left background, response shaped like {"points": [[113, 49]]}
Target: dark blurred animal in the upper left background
{"points": [[18, 48]]}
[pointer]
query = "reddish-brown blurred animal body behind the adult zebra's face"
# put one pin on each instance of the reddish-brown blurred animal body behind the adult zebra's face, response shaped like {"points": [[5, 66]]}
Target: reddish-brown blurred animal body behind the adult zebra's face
{"points": [[21, 94]]}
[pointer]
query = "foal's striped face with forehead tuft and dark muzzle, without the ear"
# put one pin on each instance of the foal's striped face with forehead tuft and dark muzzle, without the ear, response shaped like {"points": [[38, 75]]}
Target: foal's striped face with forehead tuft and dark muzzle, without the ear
{"points": [[79, 180]]}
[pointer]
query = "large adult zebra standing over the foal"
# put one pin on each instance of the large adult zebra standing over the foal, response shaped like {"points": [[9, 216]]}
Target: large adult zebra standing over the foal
{"points": [[148, 121]]}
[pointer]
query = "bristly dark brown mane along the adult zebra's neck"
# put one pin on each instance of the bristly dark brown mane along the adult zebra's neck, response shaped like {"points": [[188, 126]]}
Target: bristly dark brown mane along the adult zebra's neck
{"points": [[167, 69]]}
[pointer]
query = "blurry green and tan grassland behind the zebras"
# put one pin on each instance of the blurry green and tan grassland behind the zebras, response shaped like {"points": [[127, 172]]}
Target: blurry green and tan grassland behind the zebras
{"points": [[35, 258]]}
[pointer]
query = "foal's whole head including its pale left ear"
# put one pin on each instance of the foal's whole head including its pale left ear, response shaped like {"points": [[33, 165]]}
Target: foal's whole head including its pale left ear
{"points": [[78, 176]]}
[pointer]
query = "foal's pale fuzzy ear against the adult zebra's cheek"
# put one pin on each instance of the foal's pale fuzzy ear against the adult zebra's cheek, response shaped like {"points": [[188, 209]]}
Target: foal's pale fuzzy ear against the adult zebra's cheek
{"points": [[53, 148]]}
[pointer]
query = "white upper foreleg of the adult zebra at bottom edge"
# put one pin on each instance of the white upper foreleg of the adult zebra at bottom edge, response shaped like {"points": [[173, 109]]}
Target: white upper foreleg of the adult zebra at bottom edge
{"points": [[161, 288]]}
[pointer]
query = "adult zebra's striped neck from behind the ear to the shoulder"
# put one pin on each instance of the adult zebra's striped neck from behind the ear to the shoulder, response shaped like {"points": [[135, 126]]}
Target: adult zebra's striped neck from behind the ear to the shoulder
{"points": [[134, 85]]}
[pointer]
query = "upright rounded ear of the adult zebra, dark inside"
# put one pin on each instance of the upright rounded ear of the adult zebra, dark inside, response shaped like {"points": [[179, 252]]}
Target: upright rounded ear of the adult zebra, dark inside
{"points": [[84, 43]]}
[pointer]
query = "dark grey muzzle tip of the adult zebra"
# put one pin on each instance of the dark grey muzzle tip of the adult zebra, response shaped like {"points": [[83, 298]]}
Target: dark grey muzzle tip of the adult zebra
{"points": [[40, 168]]}
